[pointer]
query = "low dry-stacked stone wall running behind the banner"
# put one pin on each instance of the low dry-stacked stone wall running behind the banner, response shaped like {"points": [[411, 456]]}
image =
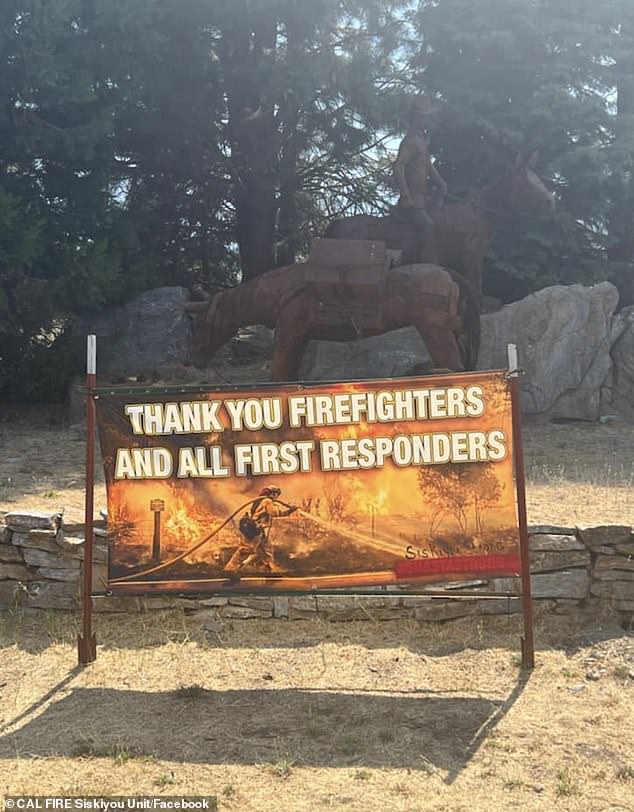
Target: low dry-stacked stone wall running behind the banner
{"points": [[581, 571]]}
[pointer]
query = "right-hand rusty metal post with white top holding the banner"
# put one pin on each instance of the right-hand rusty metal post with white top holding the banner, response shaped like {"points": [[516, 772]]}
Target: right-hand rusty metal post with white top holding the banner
{"points": [[528, 643]]}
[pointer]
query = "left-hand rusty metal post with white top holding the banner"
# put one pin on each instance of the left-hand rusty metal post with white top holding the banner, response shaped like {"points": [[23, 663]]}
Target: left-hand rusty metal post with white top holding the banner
{"points": [[87, 643]]}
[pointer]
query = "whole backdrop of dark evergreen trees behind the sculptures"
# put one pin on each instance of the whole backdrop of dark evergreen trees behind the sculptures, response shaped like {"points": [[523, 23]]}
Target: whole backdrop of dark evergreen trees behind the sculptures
{"points": [[169, 143]]}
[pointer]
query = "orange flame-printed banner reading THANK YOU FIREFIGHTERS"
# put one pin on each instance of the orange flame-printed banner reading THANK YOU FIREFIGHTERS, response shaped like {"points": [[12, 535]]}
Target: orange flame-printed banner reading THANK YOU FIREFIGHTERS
{"points": [[308, 487]]}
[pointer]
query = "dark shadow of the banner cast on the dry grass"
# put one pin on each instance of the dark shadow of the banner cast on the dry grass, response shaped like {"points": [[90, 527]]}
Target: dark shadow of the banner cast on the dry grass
{"points": [[312, 728]]}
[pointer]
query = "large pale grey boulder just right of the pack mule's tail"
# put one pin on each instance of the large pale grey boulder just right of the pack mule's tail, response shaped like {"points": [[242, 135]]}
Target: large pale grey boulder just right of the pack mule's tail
{"points": [[563, 335]]}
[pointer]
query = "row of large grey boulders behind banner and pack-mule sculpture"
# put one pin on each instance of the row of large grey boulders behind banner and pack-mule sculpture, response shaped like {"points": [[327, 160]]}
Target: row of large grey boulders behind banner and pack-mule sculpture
{"points": [[576, 354]]}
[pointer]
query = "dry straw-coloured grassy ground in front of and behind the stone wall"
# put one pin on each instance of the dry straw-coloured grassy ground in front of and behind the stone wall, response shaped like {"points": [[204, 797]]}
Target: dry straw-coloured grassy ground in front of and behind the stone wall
{"points": [[271, 715]]}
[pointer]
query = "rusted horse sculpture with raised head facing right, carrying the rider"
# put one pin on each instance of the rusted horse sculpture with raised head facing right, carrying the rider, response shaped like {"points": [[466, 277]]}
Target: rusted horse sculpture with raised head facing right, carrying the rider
{"points": [[462, 231]]}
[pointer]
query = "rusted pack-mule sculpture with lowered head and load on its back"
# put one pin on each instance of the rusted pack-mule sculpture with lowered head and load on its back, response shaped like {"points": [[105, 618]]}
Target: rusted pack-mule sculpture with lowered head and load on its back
{"points": [[346, 291]]}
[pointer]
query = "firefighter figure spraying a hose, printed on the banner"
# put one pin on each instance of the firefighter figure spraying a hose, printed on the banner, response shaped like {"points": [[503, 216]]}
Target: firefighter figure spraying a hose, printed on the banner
{"points": [[256, 549]]}
